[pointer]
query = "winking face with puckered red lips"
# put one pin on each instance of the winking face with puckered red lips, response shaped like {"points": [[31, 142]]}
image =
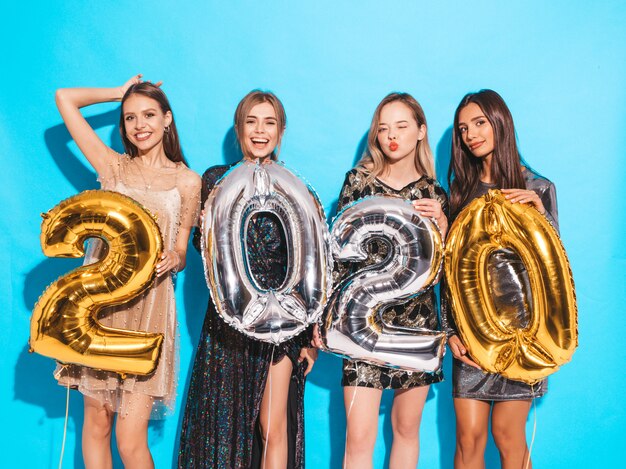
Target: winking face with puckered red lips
{"points": [[398, 131]]}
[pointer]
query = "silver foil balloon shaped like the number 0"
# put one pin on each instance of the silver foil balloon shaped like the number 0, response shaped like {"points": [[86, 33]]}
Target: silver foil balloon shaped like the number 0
{"points": [[247, 190]]}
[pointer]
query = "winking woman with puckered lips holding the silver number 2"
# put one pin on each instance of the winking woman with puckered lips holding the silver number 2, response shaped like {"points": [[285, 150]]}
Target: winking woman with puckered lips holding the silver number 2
{"points": [[398, 161]]}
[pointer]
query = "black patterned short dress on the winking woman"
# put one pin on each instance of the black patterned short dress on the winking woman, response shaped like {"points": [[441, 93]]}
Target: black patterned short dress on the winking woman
{"points": [[419, 312]]}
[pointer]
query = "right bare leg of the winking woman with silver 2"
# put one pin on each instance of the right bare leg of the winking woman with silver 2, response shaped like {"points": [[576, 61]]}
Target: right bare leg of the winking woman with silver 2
{"points": [[406, 416]]}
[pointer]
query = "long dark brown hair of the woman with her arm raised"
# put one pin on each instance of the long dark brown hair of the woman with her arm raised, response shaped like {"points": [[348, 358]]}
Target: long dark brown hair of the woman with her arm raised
{"points": [[171, 142]]}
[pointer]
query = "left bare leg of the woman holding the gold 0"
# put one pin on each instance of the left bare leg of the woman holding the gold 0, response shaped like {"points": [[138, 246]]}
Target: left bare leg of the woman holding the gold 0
{"points": [[472, 427]]}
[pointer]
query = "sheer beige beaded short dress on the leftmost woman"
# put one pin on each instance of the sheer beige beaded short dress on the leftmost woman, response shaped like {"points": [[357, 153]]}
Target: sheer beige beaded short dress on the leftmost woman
{"points": [[173, 196]]}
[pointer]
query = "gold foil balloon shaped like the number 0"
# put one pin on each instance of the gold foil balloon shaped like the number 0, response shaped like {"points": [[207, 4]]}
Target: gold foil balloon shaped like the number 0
{"points": [[528, 354]]}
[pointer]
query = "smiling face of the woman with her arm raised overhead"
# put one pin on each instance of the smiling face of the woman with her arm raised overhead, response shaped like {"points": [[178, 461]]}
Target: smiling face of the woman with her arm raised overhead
{"points": [[144, 122]]}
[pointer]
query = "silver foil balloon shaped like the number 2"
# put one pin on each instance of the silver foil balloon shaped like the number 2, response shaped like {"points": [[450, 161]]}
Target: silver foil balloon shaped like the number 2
{"points": [[353, 325]]}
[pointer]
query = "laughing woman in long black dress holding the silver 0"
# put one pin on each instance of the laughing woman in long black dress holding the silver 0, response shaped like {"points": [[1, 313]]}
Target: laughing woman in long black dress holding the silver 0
{"points": [[228, 411]]}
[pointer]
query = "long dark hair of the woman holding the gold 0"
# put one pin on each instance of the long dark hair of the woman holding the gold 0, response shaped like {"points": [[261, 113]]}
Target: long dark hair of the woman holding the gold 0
{"points": [[465, 169]]}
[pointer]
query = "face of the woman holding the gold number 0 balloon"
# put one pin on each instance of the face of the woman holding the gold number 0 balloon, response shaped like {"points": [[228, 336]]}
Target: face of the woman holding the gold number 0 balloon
{"points": [[476, 131]]}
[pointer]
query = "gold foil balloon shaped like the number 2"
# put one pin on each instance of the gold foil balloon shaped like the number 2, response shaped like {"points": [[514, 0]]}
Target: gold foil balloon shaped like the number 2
{"points": [[64, 324]]}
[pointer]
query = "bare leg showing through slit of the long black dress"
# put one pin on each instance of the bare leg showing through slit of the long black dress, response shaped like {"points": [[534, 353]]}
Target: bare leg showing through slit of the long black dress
{"points": [[273, 415]]}
